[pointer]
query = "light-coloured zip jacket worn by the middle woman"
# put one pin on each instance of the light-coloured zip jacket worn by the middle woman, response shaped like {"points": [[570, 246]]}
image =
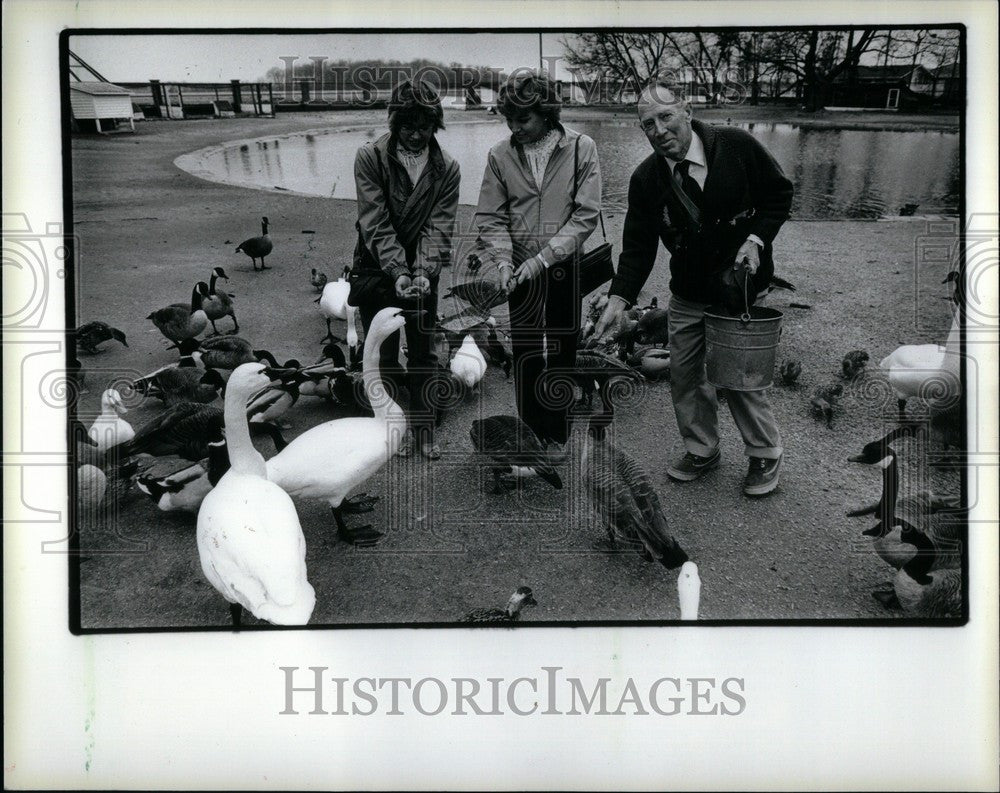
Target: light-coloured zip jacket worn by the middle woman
{"points": [[516, 220]]}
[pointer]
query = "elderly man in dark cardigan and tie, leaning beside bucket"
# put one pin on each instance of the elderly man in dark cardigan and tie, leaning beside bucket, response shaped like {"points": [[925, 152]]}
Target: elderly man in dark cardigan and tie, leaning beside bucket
{"points": [[716, 199]]}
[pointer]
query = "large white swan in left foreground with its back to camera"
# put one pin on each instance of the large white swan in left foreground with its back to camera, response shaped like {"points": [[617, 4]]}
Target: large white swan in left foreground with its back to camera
{"points": [[250, 542]]}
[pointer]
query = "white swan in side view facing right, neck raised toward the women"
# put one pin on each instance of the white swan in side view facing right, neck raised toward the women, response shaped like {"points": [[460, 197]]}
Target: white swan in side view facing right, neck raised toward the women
{"points": [[330, 460]]}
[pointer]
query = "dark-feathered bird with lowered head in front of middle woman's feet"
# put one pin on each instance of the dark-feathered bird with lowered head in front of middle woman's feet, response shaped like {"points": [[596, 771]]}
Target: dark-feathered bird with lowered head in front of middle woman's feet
{"points": [[513, 448]]}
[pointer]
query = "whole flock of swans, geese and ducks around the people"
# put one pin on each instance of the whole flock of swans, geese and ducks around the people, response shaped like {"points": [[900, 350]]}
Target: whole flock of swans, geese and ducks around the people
{"points": [[198, 458]]}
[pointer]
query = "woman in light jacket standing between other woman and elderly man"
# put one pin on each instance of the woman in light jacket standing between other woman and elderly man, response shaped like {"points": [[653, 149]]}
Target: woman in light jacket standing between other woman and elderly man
{"points": [[539, 203]]}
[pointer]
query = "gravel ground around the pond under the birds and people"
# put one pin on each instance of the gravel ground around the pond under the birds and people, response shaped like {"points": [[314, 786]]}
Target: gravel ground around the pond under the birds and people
{"points": [[147, 231]]}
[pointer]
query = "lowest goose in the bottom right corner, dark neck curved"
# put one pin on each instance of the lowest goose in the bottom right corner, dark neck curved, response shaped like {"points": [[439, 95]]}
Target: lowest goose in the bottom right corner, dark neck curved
{"points": [[923, 591]]}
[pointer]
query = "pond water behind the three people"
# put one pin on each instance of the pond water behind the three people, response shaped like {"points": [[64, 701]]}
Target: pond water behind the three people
{"points": [[837, 173]]}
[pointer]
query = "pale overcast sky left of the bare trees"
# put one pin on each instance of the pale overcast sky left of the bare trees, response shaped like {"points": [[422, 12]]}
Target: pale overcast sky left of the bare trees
{"points": [[224, 57]]}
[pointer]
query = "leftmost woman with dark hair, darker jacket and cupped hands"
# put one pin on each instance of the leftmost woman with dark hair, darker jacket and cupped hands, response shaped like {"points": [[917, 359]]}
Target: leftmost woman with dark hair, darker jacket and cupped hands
{"points": [[407, 189]]}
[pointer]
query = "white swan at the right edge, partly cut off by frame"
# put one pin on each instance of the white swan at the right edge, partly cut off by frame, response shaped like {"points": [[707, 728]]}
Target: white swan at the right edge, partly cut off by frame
{"points": [[930, 371]]}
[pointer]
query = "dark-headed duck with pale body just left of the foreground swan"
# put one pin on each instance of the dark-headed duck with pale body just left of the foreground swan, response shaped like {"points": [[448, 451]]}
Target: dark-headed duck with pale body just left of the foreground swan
{"points": [[178, 485]]}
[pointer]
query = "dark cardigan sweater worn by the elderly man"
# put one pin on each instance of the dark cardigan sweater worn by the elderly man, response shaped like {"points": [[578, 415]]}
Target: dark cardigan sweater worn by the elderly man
{"points": [[745, 193]]}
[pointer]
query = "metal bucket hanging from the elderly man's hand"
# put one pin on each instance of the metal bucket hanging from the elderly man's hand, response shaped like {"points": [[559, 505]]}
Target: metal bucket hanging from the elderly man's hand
{"points": [[740, 351]]}
